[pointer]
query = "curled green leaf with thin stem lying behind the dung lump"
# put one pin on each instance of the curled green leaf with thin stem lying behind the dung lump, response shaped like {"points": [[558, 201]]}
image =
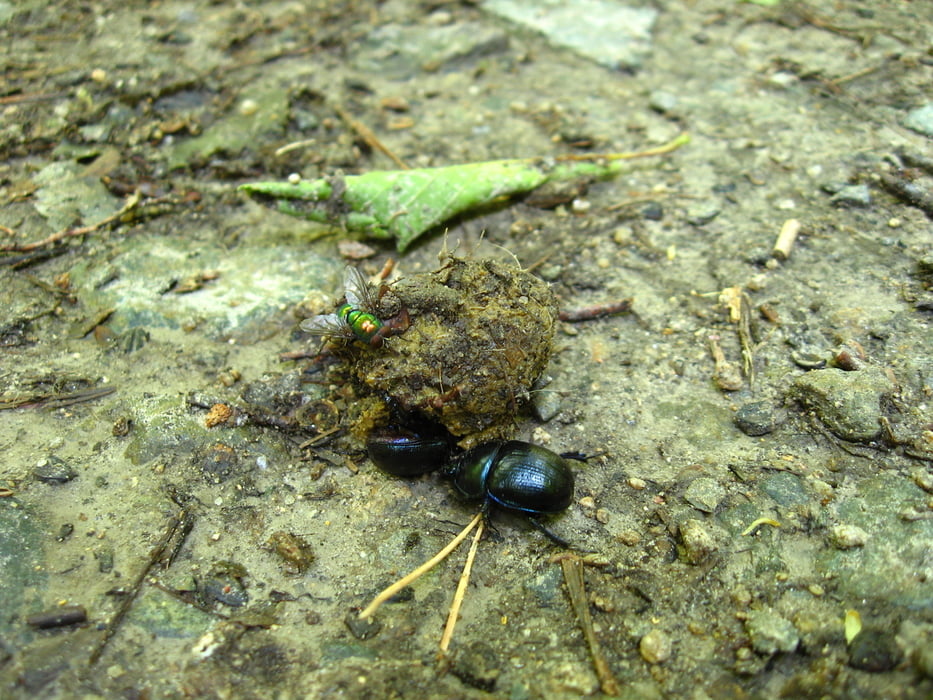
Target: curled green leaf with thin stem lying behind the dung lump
{"points": [[403, 204]]}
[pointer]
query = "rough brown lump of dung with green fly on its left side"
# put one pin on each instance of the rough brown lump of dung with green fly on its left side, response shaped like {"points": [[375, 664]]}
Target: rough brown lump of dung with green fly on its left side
{"points": [[481, 334]]}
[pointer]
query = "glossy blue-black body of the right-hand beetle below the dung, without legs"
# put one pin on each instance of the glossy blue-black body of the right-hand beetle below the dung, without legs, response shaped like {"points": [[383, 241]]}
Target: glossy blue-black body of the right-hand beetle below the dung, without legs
{"points": [[516, 476]]}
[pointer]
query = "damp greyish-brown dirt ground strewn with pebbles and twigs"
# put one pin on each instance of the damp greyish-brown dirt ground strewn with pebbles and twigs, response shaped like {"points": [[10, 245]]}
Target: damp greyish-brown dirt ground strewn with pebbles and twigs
{"points": [[758, 518]]}
